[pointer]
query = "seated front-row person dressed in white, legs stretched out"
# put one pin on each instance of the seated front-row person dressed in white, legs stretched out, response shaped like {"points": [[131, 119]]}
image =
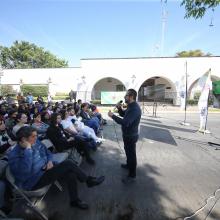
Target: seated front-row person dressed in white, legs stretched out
{"points": [[81, 128]]}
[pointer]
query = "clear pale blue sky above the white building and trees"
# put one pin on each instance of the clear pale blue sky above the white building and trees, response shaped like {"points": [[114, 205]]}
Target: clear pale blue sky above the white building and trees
{"points": [[73, 29]]}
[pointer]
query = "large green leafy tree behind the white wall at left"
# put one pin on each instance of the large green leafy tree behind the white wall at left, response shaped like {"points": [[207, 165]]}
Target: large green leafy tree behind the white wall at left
{"points": [[27, 55]]}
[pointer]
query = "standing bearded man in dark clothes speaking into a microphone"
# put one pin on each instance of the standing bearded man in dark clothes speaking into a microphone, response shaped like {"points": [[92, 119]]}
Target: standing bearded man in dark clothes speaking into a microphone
{"points": [[130, 123]]}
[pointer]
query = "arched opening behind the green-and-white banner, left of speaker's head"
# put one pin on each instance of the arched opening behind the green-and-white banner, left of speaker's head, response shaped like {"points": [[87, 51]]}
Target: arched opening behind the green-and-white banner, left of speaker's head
{"points": [[108, 84]]}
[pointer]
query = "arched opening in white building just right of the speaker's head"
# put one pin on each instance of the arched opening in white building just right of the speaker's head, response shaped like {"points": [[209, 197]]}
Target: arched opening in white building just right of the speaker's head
{"points": [[157, 89]]}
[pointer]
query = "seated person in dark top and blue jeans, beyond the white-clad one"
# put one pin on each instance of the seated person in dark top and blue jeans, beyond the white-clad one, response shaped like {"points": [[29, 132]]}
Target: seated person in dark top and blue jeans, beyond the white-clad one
{"points": [[91, 122]]}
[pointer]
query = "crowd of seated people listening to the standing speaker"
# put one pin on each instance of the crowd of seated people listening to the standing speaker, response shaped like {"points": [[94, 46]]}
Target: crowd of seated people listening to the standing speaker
{"points": [[23, 126]]}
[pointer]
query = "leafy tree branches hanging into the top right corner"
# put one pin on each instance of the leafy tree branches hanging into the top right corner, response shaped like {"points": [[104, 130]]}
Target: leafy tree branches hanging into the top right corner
{"points": [[198, 8]]}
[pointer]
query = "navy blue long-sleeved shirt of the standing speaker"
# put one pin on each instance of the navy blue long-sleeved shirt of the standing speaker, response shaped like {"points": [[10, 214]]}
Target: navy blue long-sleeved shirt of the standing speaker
{"points": [[131, 119]]}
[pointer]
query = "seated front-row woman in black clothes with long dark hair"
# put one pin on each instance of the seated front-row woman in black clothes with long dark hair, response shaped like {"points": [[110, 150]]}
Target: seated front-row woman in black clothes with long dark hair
{"points": [[62, 141]]}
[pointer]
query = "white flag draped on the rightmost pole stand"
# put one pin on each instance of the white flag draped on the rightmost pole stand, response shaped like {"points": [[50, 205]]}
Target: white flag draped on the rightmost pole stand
{"points": [[206, 84]]}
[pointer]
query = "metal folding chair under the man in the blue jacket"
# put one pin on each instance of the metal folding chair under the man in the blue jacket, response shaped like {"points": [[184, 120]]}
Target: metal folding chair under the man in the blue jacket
{"points": [[36, 195]]}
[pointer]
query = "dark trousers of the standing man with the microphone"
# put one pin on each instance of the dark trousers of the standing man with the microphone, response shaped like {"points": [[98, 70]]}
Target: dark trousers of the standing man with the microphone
{"points": [[130, 150]]}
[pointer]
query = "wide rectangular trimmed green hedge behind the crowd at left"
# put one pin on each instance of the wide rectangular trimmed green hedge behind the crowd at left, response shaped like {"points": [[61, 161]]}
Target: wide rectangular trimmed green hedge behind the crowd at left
{"points": [[35, 90]]}
